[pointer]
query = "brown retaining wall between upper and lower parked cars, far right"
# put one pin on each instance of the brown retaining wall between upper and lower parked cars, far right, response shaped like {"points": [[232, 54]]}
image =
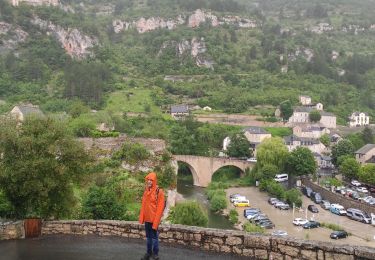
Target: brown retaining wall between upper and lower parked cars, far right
{"points": [[338, 198]]}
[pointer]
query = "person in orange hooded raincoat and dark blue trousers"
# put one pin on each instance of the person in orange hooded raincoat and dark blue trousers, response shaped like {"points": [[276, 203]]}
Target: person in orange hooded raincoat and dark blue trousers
{"points": [[151, 212]]}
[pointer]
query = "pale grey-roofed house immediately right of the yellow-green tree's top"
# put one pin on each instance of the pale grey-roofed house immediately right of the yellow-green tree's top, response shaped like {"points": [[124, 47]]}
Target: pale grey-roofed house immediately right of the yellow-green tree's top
{"points": [[314, 145]]}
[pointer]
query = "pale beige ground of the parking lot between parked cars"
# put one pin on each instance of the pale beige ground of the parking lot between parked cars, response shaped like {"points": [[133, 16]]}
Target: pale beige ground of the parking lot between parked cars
{"points": [[362, 234]]}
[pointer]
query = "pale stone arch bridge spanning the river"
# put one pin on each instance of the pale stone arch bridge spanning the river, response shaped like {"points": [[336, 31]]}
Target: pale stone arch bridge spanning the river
{"points": [[202, 168]]}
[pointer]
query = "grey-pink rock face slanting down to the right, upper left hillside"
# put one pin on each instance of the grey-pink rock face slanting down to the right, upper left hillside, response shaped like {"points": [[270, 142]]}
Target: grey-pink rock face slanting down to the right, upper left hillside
{"points": [[75, 43]]}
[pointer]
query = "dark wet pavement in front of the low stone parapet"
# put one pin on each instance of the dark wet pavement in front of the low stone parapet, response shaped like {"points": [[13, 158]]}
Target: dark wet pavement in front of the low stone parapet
{"points": [[64, 247]]}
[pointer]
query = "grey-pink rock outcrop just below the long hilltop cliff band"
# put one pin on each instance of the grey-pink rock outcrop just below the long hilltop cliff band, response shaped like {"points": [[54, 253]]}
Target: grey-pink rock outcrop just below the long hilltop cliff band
{"points": [[194, 47]]}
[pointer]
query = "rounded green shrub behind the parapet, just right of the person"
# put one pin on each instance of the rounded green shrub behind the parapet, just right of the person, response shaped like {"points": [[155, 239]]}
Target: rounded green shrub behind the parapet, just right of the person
{"points": [[188, 213]]}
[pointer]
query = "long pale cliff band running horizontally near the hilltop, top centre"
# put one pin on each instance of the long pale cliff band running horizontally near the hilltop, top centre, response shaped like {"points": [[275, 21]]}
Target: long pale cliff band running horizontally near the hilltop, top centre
{"points": [[199, 17]]}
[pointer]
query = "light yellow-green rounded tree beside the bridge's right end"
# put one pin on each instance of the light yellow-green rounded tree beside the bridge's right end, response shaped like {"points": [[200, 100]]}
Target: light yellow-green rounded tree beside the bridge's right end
{"points": [[272, 151]]}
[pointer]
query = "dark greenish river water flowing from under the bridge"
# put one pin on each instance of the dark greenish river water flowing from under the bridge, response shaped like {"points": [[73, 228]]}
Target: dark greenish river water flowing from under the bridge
{"points": [[191, 192]]}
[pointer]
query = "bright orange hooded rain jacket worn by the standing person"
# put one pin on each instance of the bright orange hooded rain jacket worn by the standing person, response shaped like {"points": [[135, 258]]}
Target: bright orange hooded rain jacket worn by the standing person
{"points": [[152, 203]]}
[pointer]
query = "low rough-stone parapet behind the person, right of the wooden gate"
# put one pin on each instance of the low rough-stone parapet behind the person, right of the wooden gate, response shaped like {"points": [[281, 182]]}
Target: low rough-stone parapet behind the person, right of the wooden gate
{"points": [[254, 246]]}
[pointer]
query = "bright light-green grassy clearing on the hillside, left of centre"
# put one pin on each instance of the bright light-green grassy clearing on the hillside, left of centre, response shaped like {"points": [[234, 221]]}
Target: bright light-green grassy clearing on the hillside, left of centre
{"points": [[136, 100]]}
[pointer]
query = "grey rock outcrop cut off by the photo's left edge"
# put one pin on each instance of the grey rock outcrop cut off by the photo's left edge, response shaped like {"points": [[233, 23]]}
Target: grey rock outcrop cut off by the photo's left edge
{"points": [[10, 36]]}
